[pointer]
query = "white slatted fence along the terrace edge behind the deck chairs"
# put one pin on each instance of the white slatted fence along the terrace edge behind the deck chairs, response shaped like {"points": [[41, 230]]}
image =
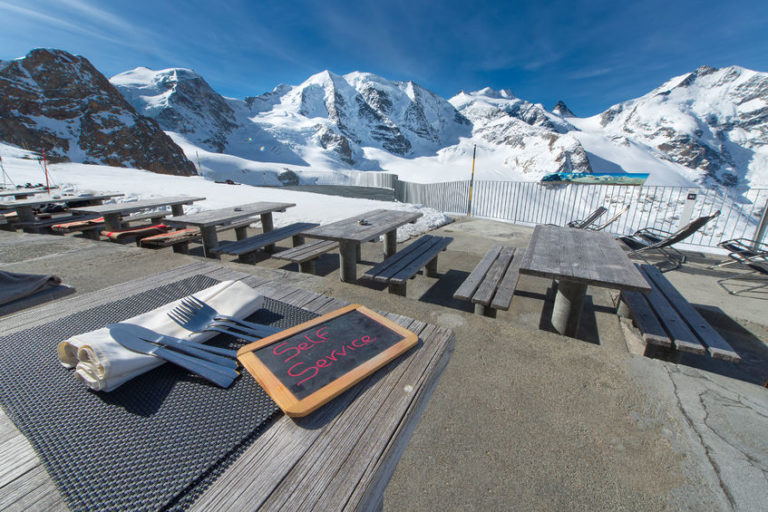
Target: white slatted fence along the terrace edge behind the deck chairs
{"points": [[532, 203]]}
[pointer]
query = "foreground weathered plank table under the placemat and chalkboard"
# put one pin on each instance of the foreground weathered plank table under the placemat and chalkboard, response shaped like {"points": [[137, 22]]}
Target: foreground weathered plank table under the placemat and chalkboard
{"points": [[340, 457]]}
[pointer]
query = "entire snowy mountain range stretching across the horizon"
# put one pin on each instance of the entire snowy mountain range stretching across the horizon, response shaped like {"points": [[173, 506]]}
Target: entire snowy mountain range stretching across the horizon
{"points": [[709, 126]]}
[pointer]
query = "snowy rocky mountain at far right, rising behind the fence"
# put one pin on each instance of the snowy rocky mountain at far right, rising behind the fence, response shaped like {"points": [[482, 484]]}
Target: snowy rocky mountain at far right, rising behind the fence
{"points": [[713, 122]]}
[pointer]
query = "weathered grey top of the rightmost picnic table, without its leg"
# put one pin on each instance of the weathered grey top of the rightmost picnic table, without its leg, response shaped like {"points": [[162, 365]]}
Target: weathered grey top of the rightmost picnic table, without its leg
{"points": [[580, 255]]}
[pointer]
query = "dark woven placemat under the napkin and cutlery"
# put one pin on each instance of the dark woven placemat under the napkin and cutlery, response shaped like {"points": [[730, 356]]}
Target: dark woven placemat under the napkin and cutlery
{"points": [[157, 441]]}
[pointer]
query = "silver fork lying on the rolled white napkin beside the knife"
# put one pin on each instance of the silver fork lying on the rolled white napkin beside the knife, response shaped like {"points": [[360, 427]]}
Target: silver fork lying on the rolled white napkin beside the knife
{"points": [[195, 315]]}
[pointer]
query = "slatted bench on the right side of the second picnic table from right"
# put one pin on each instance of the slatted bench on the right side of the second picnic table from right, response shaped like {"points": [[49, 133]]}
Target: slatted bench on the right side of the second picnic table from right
{"points": [[405, 263]]}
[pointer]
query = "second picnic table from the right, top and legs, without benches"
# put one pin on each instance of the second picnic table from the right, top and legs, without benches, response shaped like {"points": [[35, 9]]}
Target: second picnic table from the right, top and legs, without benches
{"points": [[351, 232]]}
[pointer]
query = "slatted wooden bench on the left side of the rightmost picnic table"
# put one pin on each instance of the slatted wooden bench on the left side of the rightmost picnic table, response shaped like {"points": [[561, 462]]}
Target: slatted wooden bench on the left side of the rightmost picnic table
{"points": [[491, 285]]}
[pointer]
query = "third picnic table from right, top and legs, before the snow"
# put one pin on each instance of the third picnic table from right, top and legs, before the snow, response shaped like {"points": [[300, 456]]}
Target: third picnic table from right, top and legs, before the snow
{"points": [[211, 221]]}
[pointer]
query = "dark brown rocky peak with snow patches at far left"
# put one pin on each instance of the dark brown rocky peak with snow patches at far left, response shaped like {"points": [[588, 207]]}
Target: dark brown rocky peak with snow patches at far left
{"points": [[59, 103]]}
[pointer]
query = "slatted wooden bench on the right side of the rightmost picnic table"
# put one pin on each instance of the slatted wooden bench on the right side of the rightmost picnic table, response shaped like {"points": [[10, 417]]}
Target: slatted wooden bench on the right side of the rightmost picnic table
{"points": [[668, 322]]}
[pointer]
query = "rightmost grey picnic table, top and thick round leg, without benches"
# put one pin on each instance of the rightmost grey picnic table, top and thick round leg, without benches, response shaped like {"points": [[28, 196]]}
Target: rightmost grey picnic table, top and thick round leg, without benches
{"points": [[576, 258]]}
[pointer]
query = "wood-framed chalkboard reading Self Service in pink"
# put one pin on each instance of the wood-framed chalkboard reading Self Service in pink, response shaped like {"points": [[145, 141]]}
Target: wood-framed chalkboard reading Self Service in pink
{"points": [[307, 365]]}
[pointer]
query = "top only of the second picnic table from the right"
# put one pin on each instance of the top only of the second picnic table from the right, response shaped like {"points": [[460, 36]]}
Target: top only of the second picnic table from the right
{"points": [[377, 222]]}
